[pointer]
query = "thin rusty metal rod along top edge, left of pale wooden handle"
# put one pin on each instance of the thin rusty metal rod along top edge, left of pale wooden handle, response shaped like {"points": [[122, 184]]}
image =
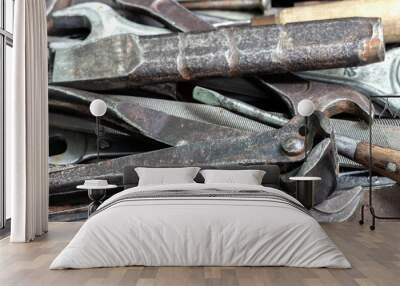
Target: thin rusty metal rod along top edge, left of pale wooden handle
{"points": [[259, 5]]}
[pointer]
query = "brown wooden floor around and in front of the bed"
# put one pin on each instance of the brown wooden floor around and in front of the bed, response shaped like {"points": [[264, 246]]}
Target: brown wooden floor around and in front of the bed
{"points": [[375, 257]]}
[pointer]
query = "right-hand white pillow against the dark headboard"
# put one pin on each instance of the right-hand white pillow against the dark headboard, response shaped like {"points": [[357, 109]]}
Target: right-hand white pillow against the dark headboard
{"points": [[247, 177]]}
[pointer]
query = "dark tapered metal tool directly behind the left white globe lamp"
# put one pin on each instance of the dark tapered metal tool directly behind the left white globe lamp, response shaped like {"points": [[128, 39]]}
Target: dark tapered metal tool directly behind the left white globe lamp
{"points": [[135, 118]]}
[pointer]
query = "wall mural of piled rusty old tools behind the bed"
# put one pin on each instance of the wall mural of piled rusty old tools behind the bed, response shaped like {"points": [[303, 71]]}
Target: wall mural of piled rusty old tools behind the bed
{"points": [[218, 82]]}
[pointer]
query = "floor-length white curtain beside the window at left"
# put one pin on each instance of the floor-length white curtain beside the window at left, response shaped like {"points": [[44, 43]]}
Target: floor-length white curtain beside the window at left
{"points": [[27, 124]]}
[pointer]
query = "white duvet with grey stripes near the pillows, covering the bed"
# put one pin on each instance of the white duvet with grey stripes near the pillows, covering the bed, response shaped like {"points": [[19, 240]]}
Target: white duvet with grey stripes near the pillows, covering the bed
{"points": [[200, 231]]}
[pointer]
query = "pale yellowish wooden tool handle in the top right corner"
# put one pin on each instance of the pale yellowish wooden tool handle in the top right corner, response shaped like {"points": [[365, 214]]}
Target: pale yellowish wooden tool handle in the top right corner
{"points": [[388, 10]]}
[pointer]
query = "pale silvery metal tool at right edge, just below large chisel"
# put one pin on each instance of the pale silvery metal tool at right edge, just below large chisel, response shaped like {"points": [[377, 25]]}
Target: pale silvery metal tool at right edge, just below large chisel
{"points": [[378, 79]]}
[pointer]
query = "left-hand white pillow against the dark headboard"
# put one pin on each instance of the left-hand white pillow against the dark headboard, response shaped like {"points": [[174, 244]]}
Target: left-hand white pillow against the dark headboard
{"points": [[165, 176]]}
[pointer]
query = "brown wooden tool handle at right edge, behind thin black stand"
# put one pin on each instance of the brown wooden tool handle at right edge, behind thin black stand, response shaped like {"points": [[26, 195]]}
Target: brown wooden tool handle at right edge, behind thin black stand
{"points": [[385, 161]]}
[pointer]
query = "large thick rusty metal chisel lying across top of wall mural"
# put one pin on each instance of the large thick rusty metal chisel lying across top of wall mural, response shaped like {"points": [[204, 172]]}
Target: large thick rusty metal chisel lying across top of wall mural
{"points": [[128, 60]]}
